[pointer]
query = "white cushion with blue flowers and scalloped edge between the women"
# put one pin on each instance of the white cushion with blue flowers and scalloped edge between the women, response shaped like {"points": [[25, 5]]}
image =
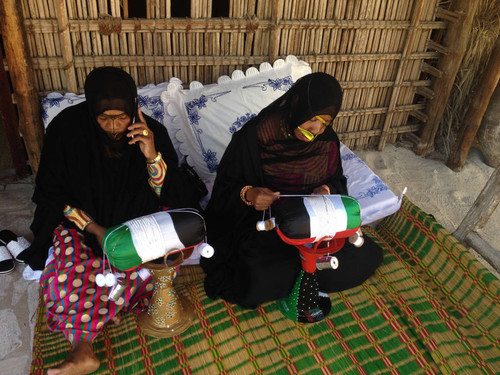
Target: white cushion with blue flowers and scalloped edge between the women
{"points": [[207, 116]]}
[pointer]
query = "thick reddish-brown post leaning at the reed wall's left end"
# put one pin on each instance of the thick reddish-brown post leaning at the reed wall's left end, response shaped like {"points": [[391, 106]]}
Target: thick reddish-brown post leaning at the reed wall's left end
{"points": [[21, 73]]}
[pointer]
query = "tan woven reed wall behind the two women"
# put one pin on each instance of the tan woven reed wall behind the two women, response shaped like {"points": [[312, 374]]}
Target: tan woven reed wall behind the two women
{"points": [[380, 50]]}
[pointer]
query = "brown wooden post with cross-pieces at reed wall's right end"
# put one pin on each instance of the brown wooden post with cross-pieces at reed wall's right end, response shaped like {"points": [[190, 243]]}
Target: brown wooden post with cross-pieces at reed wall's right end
{"points": [[456, 42]]}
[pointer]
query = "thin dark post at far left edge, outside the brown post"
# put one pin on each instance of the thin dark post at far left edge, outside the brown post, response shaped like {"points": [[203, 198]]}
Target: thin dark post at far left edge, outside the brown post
{"points": [[9, 116]]}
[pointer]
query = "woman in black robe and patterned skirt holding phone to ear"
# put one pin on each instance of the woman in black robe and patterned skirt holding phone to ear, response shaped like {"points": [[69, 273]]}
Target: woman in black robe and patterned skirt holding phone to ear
{"points": [[103, 163]]}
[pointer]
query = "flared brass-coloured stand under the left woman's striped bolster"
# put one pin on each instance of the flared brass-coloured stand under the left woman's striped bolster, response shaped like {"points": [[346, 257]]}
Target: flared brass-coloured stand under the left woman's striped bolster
{"points": [[169, 313]]}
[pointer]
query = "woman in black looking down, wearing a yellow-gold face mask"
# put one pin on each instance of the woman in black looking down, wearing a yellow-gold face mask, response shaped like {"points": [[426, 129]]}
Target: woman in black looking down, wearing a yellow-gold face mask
{"points": [[289, 148]]}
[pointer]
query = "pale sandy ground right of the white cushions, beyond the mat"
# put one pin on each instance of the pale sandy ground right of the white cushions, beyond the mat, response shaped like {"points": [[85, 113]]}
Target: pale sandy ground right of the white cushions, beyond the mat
{"points": [[433, 186]]}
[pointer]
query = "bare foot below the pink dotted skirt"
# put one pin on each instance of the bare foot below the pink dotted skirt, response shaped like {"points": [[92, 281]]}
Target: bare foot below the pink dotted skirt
{"points": [[80, 361]]}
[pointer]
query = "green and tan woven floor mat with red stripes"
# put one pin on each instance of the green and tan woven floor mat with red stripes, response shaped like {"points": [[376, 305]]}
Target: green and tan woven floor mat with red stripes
{"points": [[430, 308]]}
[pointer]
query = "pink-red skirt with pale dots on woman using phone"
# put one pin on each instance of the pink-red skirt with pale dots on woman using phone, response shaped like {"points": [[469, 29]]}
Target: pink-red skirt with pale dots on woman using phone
{"points": [[74, 303]]}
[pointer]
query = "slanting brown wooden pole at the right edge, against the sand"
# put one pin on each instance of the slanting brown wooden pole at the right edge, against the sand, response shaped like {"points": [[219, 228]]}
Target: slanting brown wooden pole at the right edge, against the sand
{"points": [[475, 113]]}
